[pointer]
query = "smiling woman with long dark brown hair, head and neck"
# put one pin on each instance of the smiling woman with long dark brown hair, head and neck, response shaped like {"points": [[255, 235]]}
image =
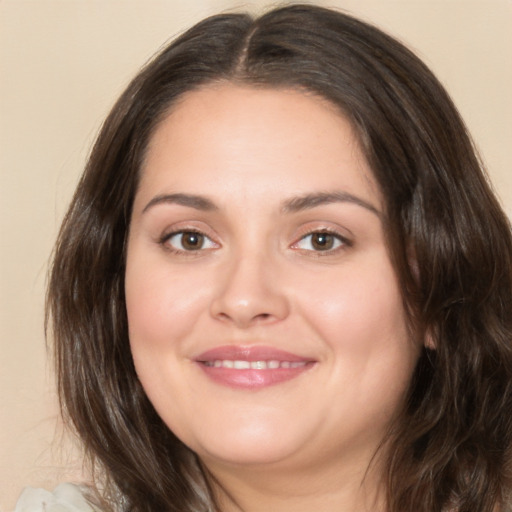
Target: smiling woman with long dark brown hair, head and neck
{"points": [[284, 282]]}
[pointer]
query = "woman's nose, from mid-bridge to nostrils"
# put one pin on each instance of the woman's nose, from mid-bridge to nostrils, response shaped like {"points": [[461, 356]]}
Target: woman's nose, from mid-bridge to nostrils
{"points": [[249, 294]]}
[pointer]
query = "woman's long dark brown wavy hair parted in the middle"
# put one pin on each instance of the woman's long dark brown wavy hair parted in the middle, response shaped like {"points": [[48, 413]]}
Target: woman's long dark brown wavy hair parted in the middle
{"points": [[449, 241]]}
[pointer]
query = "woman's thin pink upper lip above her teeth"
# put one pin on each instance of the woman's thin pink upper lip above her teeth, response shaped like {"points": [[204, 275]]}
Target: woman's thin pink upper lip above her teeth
{"points": [[249, 353]]}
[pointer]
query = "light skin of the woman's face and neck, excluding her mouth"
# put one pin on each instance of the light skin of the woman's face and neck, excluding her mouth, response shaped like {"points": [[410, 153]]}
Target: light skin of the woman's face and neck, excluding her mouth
{"points": [[257, 279]]}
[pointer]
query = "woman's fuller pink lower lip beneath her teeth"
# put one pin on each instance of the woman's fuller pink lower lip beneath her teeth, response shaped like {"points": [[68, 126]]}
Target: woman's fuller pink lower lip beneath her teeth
{"points": [[251, 378]]}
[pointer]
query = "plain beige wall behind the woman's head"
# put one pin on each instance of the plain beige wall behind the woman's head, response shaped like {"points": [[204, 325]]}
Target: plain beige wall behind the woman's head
{"points": [[62, 64]]}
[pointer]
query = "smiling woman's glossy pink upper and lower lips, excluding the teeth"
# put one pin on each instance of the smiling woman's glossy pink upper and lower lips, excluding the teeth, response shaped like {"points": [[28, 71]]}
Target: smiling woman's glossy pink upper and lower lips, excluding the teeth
{"points": [[251, 378]]}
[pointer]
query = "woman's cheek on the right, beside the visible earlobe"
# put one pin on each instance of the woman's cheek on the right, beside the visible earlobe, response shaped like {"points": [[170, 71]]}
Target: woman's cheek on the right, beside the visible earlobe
{"points": [[363, 323]]}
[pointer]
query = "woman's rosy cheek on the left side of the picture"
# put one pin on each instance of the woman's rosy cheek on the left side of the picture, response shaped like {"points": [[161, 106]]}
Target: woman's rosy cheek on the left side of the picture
{"points": [[162, 309]]}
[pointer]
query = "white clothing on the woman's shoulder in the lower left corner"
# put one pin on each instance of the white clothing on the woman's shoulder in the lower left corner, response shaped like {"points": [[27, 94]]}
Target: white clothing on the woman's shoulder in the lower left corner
{"points": [[65, 498]]}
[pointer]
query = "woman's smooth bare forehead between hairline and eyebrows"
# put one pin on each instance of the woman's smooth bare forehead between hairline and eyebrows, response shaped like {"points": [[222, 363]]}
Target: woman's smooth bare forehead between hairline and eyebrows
{"points": [[250, 137]]}
